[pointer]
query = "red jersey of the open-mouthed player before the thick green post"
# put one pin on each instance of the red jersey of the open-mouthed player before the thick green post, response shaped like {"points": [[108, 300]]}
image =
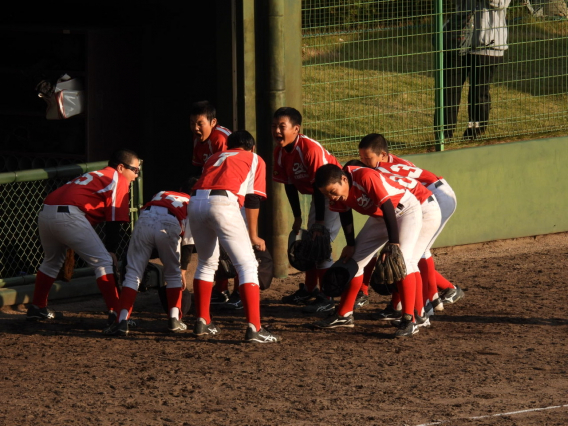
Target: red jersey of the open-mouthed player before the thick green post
{"points": [[299, 166]]}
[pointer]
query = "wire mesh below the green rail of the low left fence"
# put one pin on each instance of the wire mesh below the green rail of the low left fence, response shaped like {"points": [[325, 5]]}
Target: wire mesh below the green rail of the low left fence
{"points": [[20, 247]]}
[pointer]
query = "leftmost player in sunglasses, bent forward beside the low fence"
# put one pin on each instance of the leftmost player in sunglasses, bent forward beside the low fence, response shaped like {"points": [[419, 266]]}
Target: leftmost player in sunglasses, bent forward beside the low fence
{"points": [[67, 219]]}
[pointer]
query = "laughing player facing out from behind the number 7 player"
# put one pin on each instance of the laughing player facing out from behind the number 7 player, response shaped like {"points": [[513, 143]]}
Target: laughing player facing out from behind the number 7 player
{"points": [[208, 138]]}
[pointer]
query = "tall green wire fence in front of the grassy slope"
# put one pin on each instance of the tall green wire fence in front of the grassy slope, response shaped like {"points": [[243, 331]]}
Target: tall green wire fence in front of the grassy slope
{"points": [[377, 66]]}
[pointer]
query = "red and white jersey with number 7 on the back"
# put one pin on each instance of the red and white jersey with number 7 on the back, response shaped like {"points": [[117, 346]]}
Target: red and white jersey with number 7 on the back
{"points": [[236, 170]]}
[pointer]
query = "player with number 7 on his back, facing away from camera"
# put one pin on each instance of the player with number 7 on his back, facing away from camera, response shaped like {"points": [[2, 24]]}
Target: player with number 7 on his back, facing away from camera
{"points": [[230, 179]]}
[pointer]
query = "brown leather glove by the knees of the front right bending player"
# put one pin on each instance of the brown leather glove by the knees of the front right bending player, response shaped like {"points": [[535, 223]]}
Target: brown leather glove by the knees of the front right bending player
{"points": [[390, 271]]}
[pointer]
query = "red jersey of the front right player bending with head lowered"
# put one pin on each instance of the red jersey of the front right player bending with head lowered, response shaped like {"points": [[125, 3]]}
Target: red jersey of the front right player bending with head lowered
{"points": [[370, 189]]}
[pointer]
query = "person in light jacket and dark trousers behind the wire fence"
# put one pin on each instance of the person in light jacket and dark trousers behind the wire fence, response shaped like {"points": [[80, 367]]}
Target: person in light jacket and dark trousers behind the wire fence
{"points": [[475, 40]]}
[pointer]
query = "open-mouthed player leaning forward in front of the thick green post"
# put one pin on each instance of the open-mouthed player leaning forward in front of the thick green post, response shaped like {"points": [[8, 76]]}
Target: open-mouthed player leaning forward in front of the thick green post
{"points": [[296, 159]]}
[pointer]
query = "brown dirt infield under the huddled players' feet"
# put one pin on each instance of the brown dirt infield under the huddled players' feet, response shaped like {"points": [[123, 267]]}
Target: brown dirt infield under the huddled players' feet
{"points": [[503, 349]]}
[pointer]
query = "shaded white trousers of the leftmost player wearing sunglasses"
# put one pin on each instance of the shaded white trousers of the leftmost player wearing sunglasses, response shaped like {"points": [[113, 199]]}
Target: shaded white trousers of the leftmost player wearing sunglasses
{"points": [[74, 231]]}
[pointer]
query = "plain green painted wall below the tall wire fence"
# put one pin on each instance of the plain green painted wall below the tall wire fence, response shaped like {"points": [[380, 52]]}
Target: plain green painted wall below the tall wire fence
{"points": [[504, 191]]}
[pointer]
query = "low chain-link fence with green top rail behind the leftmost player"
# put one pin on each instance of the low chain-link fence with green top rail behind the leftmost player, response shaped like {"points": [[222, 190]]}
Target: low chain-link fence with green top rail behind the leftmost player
{"points": [[22, 196]]}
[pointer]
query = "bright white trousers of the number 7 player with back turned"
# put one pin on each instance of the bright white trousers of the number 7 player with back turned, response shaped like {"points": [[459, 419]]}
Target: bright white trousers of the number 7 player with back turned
{"points": [[218, 219]]}
